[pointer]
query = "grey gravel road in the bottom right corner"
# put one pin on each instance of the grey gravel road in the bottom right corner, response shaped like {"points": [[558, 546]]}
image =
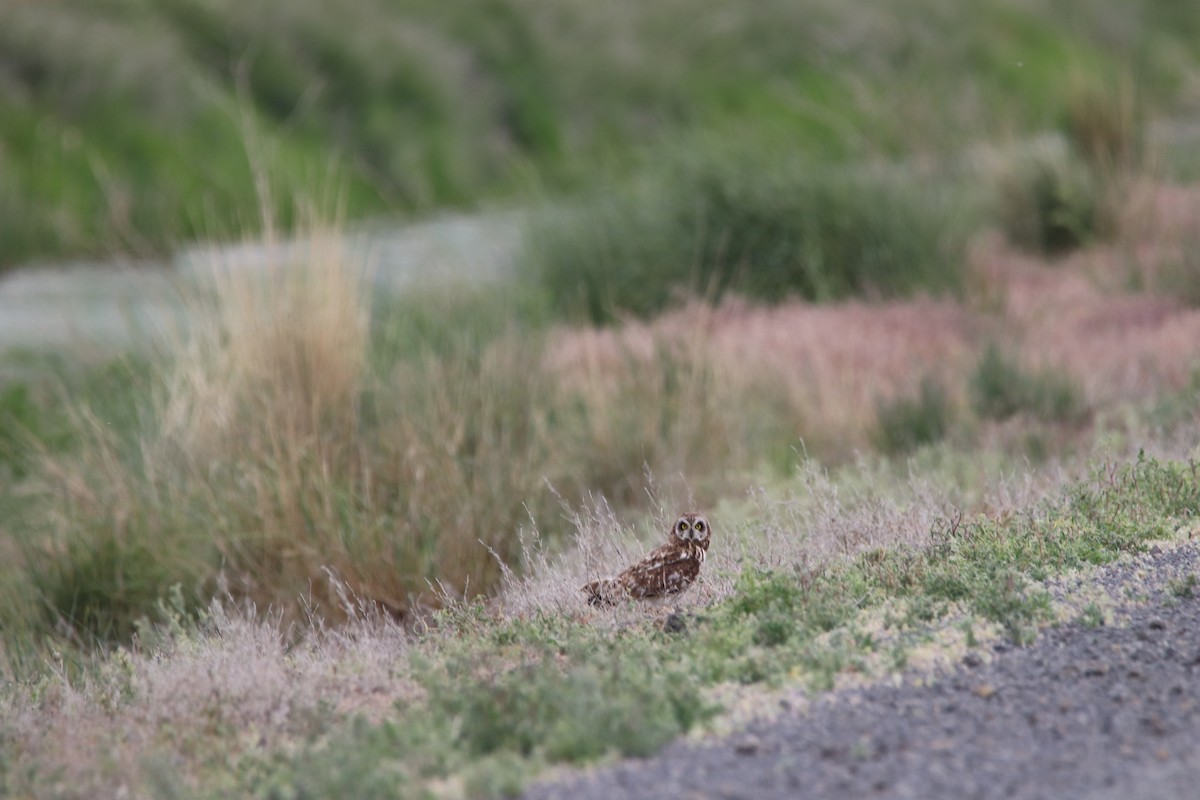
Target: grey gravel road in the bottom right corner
{"points": [[1100, 713]]}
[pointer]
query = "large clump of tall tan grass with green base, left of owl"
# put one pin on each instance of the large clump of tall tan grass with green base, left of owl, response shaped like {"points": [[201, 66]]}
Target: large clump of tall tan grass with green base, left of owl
{"points": [[273, 455]]}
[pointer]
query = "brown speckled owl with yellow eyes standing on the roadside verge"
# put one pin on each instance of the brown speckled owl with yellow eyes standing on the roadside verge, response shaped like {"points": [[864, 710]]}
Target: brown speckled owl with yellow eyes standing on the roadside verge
{"points": [[668, 570]]}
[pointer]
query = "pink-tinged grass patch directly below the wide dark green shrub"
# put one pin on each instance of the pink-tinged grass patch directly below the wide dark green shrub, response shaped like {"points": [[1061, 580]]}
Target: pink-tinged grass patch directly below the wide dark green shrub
{"points": [[821, 370]]}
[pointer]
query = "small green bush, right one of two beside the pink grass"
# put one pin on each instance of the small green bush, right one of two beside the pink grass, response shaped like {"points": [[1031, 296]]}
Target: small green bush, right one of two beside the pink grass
{"points": [[1001, 388]]}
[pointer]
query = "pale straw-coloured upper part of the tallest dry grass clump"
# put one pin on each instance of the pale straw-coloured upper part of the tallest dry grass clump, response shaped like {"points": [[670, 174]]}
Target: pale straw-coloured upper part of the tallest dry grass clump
{"points": [[277, 359]]}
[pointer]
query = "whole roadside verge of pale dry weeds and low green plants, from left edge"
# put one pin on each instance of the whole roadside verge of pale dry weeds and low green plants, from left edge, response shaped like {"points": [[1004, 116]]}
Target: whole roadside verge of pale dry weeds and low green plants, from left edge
{"points": [[482, 703]]}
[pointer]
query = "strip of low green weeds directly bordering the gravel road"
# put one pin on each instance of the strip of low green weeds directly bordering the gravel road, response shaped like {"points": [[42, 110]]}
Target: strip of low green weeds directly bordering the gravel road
{"points": [[551, 689]]}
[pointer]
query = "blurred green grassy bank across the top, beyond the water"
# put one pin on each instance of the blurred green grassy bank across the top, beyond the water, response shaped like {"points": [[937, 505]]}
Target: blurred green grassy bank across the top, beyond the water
{"points": [[131, 125]]}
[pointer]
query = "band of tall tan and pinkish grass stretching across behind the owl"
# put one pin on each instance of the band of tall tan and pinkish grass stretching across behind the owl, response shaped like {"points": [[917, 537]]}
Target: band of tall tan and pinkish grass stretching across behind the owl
{"points": [[289, 436]]}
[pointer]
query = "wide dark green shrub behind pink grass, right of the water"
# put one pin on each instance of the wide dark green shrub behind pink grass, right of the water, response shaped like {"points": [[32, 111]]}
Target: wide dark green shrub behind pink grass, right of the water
{"points": [[769, 228]]}
